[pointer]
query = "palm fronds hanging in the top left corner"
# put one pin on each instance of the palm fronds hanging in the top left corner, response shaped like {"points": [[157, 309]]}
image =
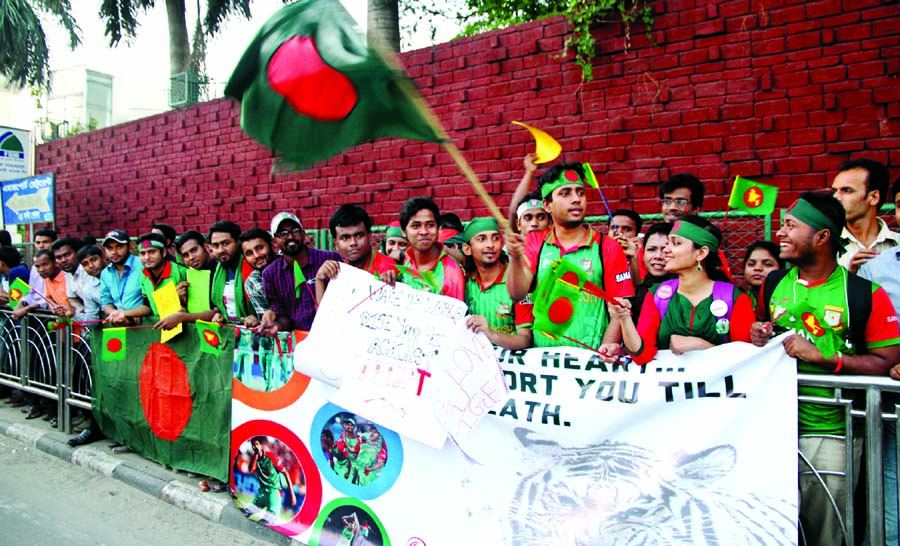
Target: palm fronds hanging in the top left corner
{"points": [[24, 57]]}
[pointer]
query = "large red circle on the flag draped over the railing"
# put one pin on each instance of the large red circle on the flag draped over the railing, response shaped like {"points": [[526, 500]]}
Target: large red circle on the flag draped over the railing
{"points": [[165, 392]]}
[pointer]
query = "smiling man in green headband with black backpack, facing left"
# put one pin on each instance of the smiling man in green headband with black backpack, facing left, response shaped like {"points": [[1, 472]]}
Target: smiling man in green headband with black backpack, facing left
{"points": [[840, 323]]}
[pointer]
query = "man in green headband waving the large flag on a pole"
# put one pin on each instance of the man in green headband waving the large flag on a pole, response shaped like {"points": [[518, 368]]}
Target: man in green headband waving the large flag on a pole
{"points": [[572, 242]]}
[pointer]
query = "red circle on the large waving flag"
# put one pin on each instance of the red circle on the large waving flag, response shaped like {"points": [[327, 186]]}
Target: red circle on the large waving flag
{"points": [[299, 74]]}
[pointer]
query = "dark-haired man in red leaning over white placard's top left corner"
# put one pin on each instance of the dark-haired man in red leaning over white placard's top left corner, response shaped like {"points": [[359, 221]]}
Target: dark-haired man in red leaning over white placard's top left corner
{"points": [[351, 229]]}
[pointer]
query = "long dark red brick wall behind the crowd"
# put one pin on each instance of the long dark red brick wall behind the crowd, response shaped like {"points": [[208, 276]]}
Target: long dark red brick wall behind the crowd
{"points": [[777, 90]]}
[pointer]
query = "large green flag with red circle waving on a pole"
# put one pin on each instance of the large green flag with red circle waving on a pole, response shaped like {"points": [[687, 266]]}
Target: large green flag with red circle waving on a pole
{"points": [[310, 87]]}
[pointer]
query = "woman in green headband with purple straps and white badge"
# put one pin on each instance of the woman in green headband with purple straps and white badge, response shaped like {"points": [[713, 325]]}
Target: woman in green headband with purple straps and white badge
{"points": [[697, 310]]}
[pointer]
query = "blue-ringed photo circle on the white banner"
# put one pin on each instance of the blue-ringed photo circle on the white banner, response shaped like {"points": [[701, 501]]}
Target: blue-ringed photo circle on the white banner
{"points": [[358, 457]]}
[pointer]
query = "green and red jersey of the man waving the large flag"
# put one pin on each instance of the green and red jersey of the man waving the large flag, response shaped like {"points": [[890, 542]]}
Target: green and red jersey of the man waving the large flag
{"points": [[605, 265]]}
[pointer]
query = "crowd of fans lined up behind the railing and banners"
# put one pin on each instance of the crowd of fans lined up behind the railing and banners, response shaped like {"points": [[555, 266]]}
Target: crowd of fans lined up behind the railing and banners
{"points": [[552, 280]]}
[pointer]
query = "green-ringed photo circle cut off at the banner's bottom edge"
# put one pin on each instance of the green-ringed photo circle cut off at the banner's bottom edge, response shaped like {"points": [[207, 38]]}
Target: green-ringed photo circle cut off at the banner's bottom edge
{"points": [[345, 522]]}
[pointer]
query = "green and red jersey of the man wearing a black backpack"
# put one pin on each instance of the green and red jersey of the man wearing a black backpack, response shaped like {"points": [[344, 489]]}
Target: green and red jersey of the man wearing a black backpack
{"points": [[806, 309]]}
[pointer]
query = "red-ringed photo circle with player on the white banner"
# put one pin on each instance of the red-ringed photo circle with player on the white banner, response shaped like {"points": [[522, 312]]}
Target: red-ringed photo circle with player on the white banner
{"points": [[273, 477]]}
